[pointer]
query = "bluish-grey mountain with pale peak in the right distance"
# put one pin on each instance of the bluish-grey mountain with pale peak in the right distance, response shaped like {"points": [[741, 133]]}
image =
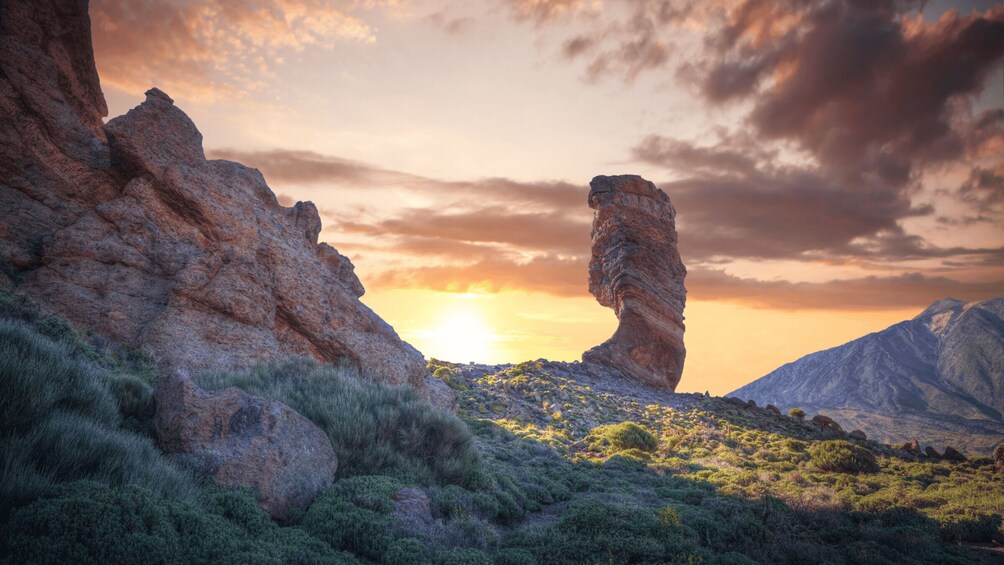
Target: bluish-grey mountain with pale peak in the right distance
{"points": [[938, 379]]}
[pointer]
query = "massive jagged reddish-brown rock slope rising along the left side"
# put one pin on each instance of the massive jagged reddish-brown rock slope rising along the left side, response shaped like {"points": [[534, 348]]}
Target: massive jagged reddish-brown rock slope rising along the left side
{"points": [[128, 230]]}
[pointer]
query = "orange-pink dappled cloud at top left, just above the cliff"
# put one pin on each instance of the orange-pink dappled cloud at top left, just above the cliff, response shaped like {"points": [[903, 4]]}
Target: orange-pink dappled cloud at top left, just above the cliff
{"points": [[212, 50]]}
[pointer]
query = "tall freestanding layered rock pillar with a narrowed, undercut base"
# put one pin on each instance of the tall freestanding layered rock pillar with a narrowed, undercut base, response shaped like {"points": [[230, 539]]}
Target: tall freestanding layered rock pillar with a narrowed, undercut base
{"points": [[636, 270]]}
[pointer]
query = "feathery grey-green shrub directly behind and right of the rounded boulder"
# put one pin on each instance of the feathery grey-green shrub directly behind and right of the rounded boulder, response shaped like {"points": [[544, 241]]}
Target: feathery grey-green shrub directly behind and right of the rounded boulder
{"points": [[375, 429]]}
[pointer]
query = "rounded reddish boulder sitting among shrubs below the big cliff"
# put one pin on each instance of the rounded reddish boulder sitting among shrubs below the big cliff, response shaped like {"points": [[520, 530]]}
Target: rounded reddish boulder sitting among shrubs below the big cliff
{"points": [[247, 442]]}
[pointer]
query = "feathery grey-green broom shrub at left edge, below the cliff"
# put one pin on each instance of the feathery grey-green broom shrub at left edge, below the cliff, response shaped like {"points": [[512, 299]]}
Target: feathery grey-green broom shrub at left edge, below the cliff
{"points": [[61, 423]]}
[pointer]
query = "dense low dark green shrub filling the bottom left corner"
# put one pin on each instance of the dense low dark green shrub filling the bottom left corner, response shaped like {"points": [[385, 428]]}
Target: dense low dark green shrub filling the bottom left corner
{"points": [[87, 522]]}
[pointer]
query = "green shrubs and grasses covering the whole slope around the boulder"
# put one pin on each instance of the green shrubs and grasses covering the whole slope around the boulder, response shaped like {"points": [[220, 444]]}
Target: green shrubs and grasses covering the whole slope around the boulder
{"points": [[544, 469]]}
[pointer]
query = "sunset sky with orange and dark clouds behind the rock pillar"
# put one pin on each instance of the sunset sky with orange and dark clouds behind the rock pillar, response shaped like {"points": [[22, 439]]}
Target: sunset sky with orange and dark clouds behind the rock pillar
{"points": [[836, 165]]}
